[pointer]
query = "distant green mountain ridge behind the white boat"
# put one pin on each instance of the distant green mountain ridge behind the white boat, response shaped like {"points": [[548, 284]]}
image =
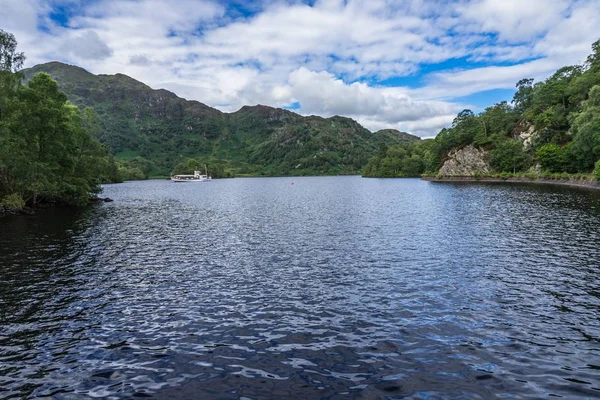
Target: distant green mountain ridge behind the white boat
{"points": [[154, 132]]}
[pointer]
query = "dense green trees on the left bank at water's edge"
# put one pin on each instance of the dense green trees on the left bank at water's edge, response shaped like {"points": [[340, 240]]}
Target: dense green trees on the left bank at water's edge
{"points": [[46, 150]]}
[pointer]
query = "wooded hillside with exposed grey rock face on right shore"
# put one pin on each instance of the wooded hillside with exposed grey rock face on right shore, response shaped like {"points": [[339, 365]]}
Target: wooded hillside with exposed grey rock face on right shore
{"points": [[551, 127]]}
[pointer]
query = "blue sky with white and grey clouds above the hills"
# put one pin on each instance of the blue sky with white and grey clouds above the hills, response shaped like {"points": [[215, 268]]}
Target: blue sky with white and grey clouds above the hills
{"points": [[404, 64]]}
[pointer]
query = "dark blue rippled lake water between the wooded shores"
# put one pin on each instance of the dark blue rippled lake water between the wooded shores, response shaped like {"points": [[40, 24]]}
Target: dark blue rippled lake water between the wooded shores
{"points": [[325, 288]]}
